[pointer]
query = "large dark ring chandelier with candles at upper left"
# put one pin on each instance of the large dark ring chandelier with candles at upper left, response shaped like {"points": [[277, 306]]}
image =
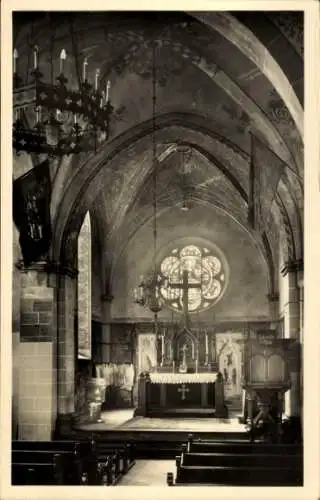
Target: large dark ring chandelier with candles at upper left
{"points": [[65, 120]]}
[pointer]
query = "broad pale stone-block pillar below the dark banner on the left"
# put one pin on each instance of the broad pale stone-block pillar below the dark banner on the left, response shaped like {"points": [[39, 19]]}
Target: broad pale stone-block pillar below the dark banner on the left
{"points": [[37, 354]]}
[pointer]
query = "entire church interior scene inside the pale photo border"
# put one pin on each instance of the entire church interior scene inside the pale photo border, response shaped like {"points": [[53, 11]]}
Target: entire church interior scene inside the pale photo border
{"points": [[157, 274]]}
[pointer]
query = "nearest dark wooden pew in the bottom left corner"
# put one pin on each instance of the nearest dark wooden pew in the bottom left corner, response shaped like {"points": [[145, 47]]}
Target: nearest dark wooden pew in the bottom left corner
{"points": [[42, 473]]}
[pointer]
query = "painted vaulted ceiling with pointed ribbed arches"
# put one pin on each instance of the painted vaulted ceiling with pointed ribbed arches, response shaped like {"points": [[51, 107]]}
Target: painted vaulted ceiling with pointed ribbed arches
{"points": [[220, 76]]}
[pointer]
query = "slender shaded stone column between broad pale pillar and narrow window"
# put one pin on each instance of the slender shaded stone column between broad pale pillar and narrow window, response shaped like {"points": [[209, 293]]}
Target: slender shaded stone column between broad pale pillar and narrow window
{"points": [[66, 284]]}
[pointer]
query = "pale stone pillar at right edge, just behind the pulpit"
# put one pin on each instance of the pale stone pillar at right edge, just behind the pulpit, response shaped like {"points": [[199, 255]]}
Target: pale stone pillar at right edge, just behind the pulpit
{"points": [[292, 325]]}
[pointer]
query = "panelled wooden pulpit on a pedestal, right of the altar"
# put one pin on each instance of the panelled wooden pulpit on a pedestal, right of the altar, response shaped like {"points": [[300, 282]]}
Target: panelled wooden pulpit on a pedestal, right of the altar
{"points": [[266, 379]]}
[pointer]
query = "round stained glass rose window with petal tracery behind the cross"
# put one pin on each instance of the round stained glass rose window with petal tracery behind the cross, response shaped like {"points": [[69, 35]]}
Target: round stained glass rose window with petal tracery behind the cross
{"points": [[195, 269]]}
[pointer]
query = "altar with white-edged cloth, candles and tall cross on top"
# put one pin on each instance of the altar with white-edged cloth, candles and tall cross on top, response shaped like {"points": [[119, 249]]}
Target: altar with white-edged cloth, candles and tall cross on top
{"points": [[184, 382]]}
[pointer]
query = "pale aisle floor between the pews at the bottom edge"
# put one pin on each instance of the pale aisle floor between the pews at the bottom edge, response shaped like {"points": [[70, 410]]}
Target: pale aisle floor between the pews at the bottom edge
{"points": [[148, 473]]}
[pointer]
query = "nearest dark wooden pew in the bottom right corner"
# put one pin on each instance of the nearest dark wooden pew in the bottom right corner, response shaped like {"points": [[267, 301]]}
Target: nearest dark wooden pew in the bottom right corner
{"points": [[236, 476]]}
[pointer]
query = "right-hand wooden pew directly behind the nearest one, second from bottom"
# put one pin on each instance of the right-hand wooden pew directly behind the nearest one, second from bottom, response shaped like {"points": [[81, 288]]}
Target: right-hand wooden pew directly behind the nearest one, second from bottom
{"points": [[238, 460]]}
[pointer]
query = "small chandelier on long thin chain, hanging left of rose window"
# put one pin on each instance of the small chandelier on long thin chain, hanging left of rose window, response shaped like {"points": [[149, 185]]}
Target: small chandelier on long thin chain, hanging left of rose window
{"points": [[148, 291]]}
